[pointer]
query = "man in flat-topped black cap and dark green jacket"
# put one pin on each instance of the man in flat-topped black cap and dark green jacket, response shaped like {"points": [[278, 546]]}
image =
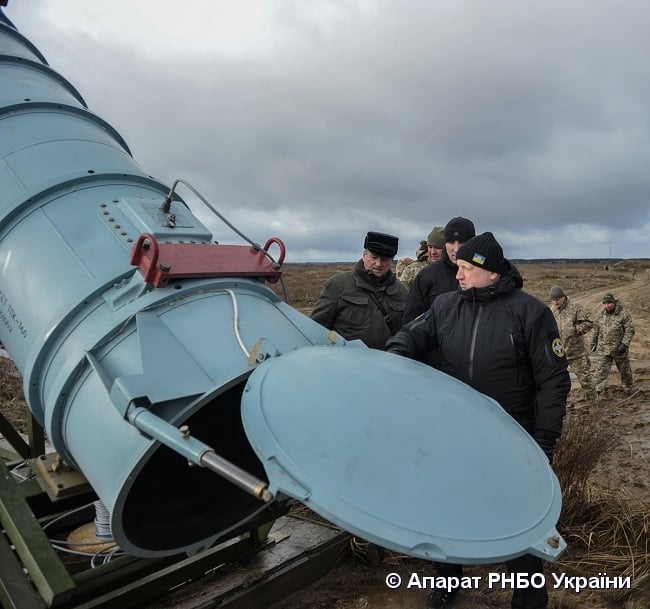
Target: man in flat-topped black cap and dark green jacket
{"points": [[366, 303]]}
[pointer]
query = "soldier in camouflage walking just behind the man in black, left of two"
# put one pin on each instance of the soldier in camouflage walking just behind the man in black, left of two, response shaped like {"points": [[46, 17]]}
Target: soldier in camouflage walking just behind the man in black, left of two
{"points": [[574, 322]]}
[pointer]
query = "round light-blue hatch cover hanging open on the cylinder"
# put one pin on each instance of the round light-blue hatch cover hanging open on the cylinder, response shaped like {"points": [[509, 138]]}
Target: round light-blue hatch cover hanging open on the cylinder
{"points": [[401, 455]]}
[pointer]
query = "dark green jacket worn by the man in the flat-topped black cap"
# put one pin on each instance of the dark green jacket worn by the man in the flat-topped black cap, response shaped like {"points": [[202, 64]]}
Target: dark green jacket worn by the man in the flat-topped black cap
{"points": [[345, 306]]}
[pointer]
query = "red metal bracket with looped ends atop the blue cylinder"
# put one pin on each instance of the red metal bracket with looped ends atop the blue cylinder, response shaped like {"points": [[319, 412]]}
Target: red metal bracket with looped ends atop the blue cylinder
{"points": [[161, 263]]}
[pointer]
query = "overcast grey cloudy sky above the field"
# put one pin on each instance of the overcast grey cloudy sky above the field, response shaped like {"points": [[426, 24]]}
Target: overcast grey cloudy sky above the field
{"points": [[318, 120]]}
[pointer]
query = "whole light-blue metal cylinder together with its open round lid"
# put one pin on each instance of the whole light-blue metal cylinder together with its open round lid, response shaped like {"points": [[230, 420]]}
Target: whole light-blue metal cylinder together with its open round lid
{"points": [[114, 367]]}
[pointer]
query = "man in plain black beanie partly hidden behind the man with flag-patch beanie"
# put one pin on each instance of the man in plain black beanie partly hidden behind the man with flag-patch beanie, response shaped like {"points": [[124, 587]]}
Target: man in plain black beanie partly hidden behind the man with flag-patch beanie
{"points": [[439, 277]]}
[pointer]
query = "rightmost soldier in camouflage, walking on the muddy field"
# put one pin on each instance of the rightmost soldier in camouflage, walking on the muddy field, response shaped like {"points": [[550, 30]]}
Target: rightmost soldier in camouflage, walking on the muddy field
{"points": [[613, 333]]}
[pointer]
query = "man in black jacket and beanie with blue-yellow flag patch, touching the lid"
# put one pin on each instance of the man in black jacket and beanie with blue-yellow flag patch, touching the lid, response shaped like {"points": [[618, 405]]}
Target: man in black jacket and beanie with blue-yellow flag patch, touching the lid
{"points": [[505, 343]]}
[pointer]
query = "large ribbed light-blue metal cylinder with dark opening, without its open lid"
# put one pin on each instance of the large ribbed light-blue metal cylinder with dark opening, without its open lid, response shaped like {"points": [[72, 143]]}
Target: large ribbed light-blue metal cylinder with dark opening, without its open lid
{"points": [[95, 342]]}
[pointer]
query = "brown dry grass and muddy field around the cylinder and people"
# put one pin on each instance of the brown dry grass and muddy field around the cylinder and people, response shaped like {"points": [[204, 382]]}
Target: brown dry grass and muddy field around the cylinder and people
{"points": [[603, 463]]}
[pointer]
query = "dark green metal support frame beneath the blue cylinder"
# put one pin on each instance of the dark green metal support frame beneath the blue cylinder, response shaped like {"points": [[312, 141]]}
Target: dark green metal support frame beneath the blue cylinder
{"points": [[34, 576]]}
